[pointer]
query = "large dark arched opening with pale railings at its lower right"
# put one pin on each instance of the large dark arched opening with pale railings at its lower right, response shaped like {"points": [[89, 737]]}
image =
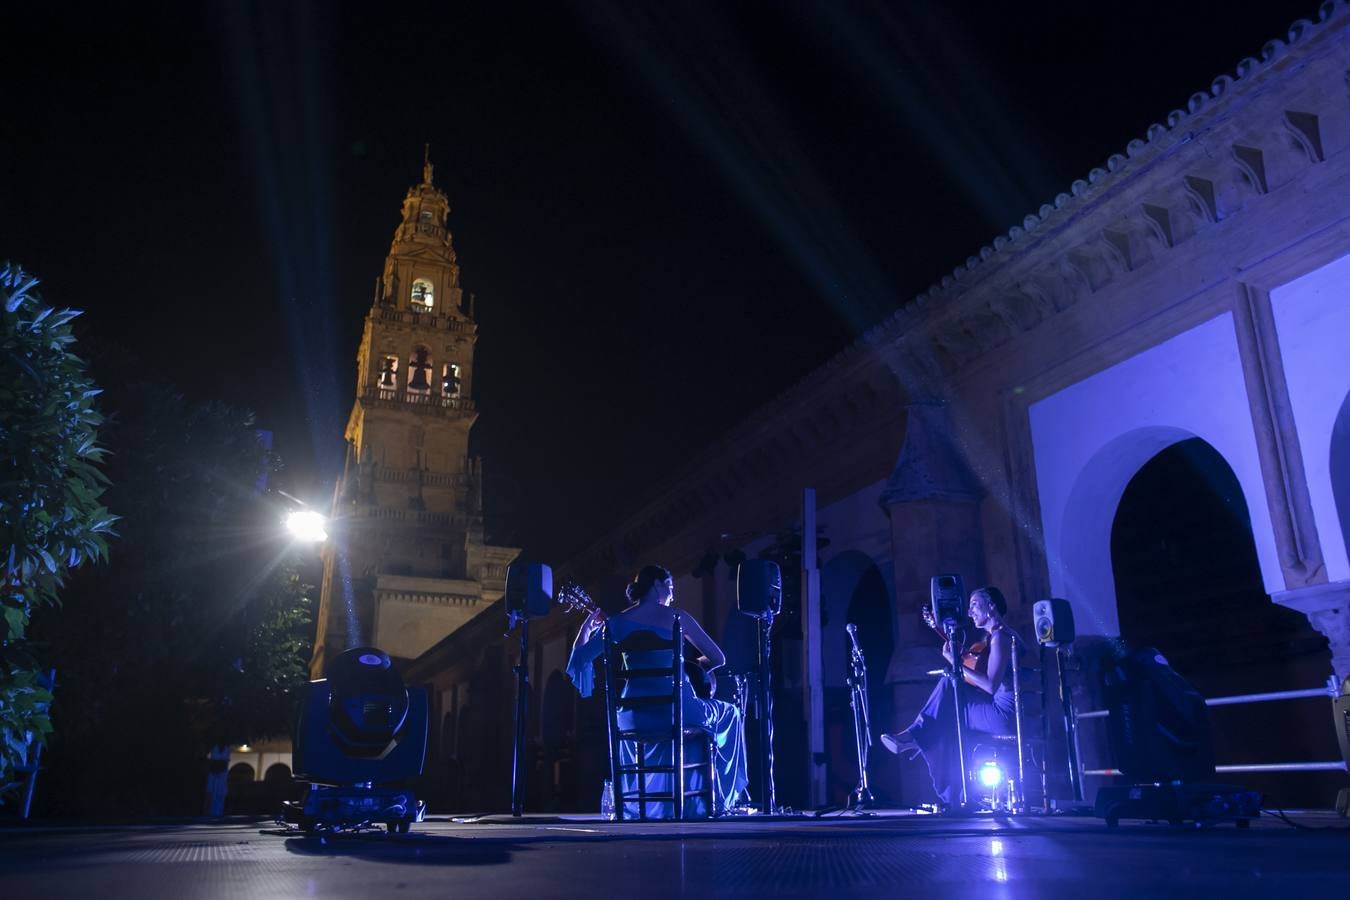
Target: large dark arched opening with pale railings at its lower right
{"points": [[1190, 585]]}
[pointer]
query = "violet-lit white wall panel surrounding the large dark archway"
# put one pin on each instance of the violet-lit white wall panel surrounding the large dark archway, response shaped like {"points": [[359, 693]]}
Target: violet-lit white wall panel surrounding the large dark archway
{"points": [[1091, 438]]}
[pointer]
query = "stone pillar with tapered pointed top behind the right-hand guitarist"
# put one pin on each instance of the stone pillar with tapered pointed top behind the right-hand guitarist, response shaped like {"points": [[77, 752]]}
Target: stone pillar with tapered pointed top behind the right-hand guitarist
{"points": [[932, 500]]}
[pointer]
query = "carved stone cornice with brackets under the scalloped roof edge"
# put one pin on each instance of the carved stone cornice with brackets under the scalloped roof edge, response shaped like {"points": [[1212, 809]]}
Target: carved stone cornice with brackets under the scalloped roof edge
{"points": [[1245, 138]]}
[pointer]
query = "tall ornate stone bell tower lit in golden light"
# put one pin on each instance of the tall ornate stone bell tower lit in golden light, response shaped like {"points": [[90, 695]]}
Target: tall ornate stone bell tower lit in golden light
{"points": [[408, 565]]}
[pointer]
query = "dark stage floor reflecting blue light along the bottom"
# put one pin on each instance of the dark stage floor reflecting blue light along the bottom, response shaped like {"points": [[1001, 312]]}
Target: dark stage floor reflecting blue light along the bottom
{"points": [[749, 857]]}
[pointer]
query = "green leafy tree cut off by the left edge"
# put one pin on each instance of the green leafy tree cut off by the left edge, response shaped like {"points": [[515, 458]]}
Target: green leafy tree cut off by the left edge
{"points": [[52, 517]]}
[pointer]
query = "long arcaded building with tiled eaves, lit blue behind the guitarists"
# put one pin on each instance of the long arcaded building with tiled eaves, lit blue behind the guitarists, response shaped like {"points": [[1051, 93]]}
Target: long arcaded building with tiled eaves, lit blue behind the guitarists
{"points": [[1189, 296]]}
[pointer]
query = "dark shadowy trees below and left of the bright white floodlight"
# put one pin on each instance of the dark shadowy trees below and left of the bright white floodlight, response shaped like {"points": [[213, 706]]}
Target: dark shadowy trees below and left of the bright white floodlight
{"points": [[199, 629]]}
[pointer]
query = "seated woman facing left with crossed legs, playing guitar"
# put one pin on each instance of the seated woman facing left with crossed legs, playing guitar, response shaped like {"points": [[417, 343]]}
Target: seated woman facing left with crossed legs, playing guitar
{"points": [[989, 709]]}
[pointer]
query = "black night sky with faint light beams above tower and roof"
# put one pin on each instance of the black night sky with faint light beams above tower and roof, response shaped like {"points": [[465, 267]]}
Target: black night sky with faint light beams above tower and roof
{"points": [[669, 213]]}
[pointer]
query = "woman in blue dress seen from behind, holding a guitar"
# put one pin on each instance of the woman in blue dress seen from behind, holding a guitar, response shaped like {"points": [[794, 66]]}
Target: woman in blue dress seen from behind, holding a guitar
{"points": [[653, 593]]}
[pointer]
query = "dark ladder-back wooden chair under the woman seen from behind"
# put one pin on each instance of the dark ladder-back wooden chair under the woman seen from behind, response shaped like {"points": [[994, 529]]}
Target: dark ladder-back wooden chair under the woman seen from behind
{"points": [[655, 660]]}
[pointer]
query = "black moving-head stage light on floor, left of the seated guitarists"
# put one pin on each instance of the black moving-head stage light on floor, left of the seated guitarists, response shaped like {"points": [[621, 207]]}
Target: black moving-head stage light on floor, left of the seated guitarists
{"points": [[362, 736]]}
